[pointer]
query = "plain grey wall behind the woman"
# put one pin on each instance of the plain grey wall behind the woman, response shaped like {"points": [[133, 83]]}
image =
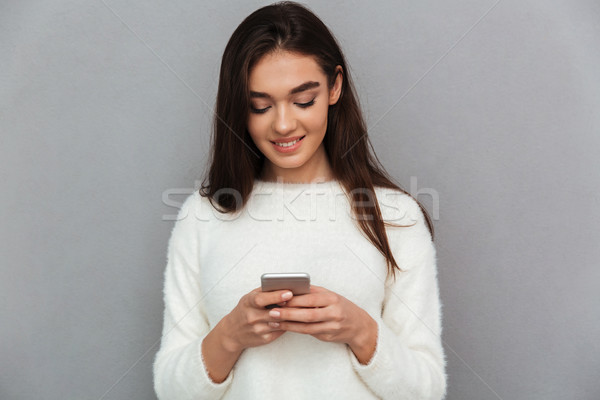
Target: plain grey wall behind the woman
{"points": [[491, 106]]}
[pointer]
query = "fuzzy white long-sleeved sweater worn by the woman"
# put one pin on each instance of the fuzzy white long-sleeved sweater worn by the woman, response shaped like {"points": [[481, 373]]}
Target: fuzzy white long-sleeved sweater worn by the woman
{"points": [[214, 259]]}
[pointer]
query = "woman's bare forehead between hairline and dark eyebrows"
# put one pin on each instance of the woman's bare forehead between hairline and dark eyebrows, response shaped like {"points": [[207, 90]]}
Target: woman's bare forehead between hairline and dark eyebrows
{"points": [[278, 72]]}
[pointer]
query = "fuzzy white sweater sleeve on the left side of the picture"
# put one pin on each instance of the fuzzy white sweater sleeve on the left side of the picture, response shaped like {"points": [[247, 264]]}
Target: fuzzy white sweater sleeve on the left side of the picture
{"points": [[179, 370]]}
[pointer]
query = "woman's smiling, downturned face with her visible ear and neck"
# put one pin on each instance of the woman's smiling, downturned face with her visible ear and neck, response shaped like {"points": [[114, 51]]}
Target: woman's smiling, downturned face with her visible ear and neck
{"points": [[289, 101]]}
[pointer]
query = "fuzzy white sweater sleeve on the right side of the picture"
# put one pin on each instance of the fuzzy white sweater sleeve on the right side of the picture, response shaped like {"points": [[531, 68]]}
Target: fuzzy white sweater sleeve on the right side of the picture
{"points": [[409, 361]]}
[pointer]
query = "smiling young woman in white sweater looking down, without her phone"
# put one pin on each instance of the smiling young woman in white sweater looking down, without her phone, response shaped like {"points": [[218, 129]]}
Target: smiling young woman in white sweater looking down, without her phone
{"points": [[293, 187]]}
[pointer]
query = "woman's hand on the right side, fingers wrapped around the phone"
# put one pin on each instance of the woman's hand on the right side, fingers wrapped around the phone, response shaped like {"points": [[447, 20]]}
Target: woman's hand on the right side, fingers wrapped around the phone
{"points": [[330, 317]]}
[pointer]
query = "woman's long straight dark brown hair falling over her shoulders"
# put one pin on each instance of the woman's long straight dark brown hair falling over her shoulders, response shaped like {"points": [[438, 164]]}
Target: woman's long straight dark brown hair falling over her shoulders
{"points": [[291, 27]]}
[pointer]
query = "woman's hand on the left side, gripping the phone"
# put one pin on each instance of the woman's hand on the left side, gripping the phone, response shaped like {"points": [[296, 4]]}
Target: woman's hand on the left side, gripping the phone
{"points": [[247, 325]]}
